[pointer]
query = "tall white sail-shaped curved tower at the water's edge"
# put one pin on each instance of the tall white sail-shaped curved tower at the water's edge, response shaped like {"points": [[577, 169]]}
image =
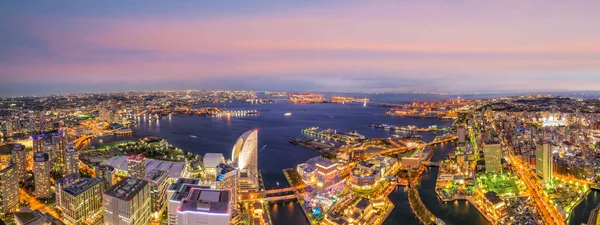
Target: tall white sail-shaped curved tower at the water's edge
{"points": [[245, 159]]}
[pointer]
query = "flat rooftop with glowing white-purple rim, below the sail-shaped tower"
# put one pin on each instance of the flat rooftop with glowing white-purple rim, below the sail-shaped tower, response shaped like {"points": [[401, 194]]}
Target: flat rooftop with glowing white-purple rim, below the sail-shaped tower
{"points": [[207, 201]]}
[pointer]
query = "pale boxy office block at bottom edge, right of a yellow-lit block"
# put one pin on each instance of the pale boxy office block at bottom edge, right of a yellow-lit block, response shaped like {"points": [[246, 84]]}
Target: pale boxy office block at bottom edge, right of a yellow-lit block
{"points": [[127, 203]]}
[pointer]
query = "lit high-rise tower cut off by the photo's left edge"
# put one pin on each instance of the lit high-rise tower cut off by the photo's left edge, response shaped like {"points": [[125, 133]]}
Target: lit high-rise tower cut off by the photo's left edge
{"points": [[9, 188]]}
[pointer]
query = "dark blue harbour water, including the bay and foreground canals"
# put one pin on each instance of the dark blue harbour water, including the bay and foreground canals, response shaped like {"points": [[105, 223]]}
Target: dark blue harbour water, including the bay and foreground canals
{"points": [[218, 134]]}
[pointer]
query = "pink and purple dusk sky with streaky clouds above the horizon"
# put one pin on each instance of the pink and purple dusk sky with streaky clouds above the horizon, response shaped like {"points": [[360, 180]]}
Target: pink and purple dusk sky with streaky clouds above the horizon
{"points": [[375, 46]]}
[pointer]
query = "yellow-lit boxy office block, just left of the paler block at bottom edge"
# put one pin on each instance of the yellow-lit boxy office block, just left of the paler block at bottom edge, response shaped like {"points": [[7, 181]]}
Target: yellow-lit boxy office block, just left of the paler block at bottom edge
{"points": [[82, 201]]}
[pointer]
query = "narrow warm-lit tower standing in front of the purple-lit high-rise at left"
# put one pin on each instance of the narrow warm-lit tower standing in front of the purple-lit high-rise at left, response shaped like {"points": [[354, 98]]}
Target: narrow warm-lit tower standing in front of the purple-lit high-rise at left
{"points": [[41, 173]]}
